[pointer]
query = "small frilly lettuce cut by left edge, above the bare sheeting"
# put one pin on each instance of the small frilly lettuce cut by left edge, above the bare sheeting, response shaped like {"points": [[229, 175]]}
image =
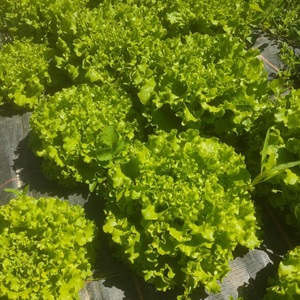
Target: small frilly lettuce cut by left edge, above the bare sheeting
{"points": [[23, 73]]}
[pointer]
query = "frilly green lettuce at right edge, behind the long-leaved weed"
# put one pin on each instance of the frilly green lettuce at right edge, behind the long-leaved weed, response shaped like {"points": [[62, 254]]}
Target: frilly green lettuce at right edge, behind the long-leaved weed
{"points": [[284, 147]]}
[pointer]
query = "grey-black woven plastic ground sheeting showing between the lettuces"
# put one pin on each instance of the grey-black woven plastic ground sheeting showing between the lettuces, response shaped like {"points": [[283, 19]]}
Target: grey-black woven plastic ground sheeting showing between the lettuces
{"points": [[249, 271]]}
